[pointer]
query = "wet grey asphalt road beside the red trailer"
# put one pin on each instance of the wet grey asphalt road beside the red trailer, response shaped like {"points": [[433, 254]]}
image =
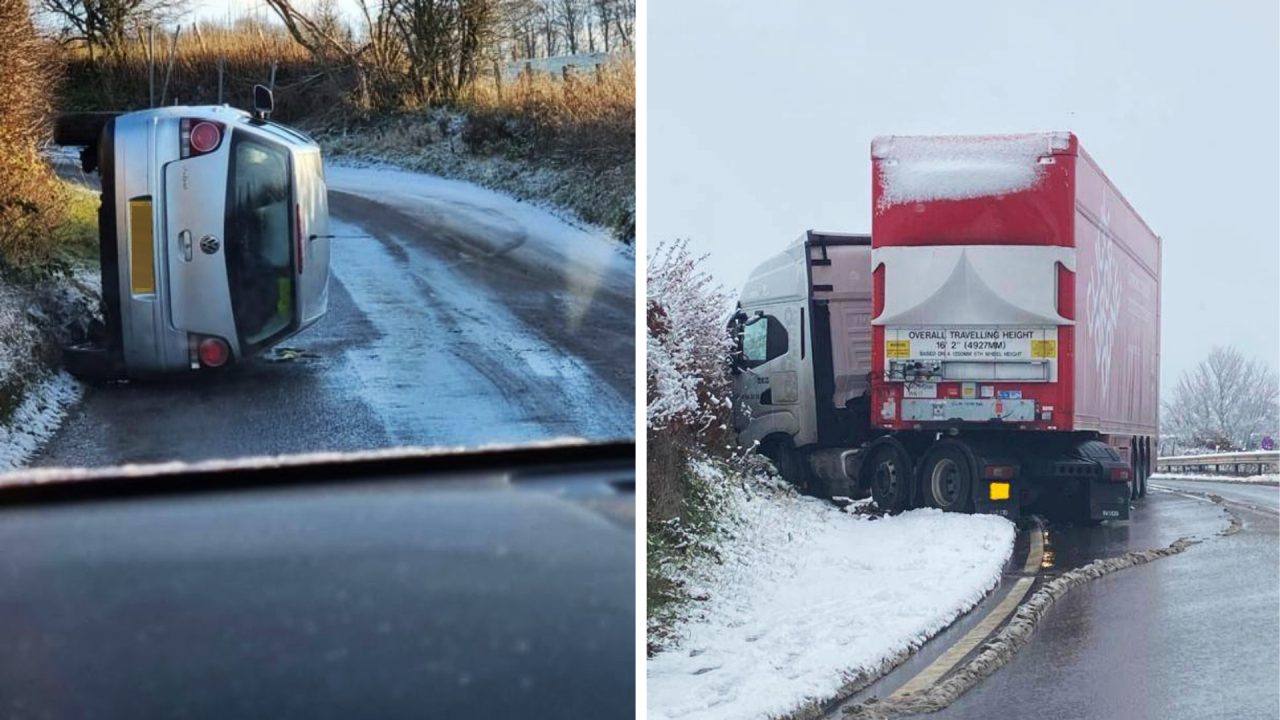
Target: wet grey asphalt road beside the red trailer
{"points": [[1191, 636]]}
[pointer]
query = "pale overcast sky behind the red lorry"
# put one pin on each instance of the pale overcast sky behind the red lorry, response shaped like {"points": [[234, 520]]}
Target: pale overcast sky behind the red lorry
{"points": [[761, 117]]}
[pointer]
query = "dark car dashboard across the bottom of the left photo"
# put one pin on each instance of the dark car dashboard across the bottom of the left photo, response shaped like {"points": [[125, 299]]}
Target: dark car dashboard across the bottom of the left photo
{"points": [[477, 585]]}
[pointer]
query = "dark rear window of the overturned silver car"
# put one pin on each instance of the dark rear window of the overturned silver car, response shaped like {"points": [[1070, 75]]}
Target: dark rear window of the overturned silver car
{"points": [[259, 249]]}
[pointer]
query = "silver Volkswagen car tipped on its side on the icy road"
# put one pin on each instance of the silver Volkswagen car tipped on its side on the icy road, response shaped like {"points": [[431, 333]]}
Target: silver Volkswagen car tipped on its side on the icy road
{"points": [[214, 236]]}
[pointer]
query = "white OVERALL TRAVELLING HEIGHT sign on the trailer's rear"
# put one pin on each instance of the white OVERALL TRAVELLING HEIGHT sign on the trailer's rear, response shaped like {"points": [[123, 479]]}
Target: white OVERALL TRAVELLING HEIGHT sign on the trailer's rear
{"points": [[953, 343]]}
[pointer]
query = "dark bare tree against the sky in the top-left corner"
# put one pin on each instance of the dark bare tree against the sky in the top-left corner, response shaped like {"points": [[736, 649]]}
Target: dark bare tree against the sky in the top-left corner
{"points": [[108, 24]]}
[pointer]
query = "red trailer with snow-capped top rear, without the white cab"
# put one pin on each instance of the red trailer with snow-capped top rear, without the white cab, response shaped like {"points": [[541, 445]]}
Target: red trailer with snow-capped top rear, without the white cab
{"points": [[1016, 326]]}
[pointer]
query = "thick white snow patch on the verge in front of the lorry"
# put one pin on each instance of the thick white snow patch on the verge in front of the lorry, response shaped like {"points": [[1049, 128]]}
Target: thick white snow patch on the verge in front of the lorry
{"points": [[806, 596]]}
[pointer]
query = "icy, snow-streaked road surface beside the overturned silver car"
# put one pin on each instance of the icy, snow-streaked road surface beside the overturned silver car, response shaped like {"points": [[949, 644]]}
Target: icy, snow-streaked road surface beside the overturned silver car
{"points": [[467, 318]]}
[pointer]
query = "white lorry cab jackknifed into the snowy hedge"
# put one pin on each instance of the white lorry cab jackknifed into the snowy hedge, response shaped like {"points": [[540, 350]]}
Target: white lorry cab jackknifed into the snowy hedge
{"points": [[803, 358]]}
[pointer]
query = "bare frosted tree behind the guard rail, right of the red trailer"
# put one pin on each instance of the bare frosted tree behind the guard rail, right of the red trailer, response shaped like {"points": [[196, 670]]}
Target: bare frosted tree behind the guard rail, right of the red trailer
{"points": [[1227, 400]]}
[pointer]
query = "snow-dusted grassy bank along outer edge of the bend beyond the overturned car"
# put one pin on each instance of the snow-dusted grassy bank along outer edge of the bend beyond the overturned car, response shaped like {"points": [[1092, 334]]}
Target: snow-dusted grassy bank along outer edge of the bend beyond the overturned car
{"points": [[437, 143]]}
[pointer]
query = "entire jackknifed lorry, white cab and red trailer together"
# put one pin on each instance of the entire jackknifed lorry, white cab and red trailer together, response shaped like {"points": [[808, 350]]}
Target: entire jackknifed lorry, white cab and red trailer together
{"points": [[993, 345]]}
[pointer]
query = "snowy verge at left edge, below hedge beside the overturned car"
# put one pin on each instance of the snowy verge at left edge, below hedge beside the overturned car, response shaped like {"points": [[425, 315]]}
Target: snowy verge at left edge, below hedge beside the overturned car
{"points": [[35, 321]]}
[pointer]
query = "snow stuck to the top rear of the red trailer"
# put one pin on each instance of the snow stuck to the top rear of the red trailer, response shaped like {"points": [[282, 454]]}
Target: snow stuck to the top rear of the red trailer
{"points": [[917, 170]]}
